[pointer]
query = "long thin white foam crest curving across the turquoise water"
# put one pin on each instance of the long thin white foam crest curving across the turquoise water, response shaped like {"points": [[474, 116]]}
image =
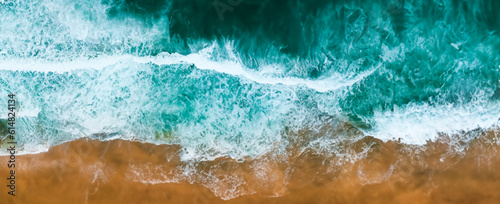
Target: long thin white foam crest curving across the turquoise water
{"points": [[201, 60]]}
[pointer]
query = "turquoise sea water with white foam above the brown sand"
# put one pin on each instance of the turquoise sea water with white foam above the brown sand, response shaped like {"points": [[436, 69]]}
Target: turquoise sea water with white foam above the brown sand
{"points": [[236, 78]]}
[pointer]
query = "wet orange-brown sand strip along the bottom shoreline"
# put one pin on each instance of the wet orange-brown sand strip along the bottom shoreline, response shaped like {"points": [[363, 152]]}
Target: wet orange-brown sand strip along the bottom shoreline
{"points": [[118, 171]]}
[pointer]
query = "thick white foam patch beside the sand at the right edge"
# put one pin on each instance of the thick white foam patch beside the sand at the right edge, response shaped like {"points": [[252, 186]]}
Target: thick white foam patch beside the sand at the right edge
{"points": [[417, 124]]}
